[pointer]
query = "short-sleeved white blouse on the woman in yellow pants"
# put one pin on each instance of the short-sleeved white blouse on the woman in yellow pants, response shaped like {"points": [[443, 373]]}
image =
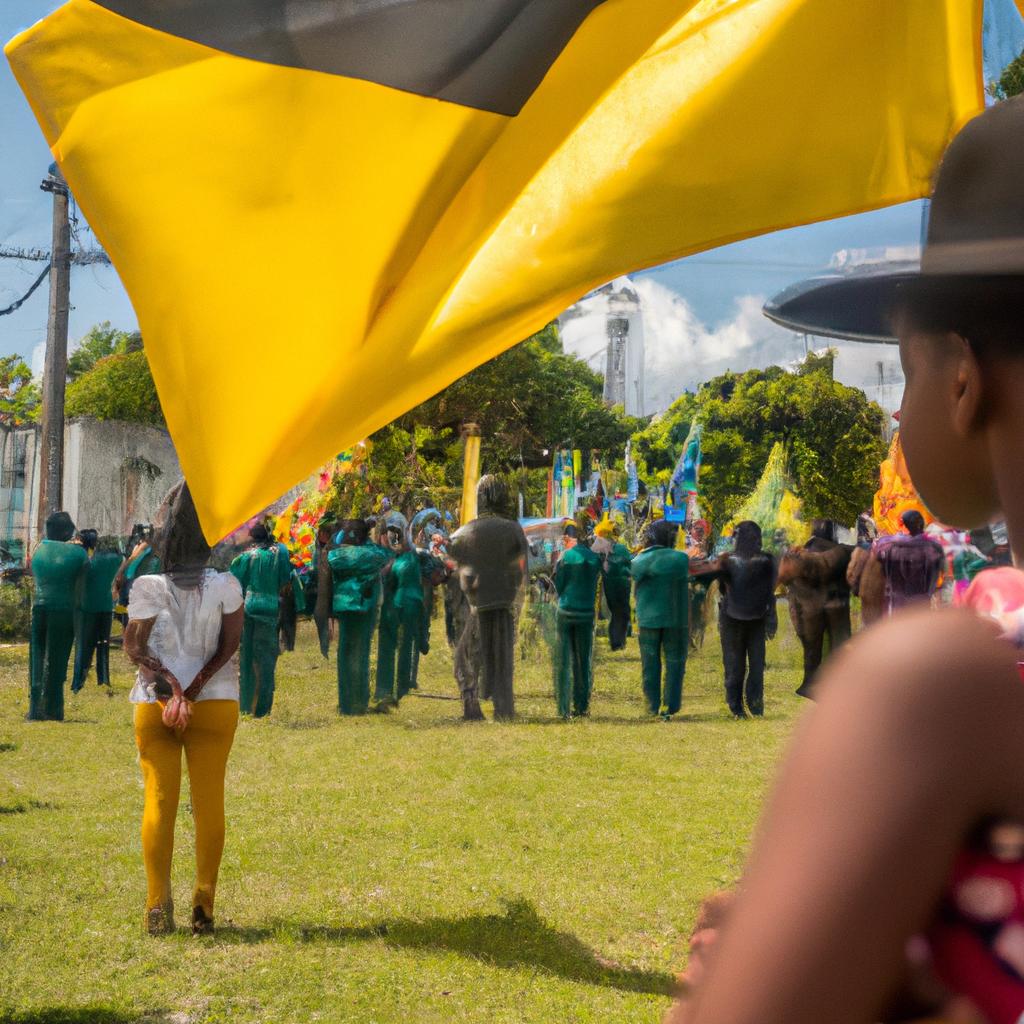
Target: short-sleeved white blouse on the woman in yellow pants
{"points": [[187, 631]]}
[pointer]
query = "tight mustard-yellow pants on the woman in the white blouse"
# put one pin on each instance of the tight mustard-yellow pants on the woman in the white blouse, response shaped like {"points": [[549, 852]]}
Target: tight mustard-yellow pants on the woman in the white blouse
{"points": [[207, 743]]}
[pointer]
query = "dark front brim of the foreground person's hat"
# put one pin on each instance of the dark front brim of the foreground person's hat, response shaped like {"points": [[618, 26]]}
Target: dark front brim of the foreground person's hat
{"points": [[854, 306]]}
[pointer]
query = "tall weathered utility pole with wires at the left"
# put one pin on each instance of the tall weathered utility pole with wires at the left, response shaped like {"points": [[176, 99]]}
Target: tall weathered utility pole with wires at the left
{"points": [[56, 368]]}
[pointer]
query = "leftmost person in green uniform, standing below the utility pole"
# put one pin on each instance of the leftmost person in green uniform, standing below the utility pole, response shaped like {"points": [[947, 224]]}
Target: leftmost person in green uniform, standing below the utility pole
{"points": [[58, 569]]}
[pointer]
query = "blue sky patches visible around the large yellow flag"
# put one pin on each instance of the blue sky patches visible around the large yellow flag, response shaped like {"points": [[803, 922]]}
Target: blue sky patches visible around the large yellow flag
{"points": [[713, 284]]}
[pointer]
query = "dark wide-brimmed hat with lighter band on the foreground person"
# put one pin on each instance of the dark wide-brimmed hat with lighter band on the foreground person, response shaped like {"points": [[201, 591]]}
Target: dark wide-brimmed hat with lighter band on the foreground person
{"points": [[975, 230]]}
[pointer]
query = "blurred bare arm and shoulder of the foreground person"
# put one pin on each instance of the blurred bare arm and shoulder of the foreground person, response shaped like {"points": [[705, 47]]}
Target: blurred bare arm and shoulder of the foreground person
{"points": [[918, 738]]}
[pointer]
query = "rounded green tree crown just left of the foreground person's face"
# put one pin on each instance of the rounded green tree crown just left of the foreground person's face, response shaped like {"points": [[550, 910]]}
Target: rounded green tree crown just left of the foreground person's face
{"points": [[833, 435]]}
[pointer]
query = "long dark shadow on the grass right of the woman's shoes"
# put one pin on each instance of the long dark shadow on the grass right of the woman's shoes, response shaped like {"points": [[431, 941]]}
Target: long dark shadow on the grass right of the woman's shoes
{"points": [[519, 938]]}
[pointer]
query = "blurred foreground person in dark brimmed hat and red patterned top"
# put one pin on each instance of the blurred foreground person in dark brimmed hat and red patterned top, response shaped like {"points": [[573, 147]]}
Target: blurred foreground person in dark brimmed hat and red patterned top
{"points": [[892, 849]]}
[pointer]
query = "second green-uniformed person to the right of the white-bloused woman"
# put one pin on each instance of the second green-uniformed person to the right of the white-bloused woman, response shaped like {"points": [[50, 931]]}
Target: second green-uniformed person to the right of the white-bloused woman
{"points": [[356, 572]]}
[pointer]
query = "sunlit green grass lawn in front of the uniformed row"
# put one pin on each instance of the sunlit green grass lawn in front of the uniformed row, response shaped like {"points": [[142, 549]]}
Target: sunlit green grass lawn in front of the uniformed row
{"points": [[402, 868]]}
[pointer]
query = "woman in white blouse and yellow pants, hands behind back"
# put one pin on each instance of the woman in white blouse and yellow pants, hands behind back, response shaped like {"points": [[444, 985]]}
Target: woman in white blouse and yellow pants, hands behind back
{"points": [[184, 627]]}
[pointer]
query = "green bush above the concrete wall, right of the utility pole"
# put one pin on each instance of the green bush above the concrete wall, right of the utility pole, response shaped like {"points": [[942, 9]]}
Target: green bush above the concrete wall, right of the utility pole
{"points": [[118, 388]]}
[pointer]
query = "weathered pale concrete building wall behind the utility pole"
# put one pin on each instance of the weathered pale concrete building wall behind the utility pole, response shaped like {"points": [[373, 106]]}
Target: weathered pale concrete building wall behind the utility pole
{"points": [[116, 475]]}
